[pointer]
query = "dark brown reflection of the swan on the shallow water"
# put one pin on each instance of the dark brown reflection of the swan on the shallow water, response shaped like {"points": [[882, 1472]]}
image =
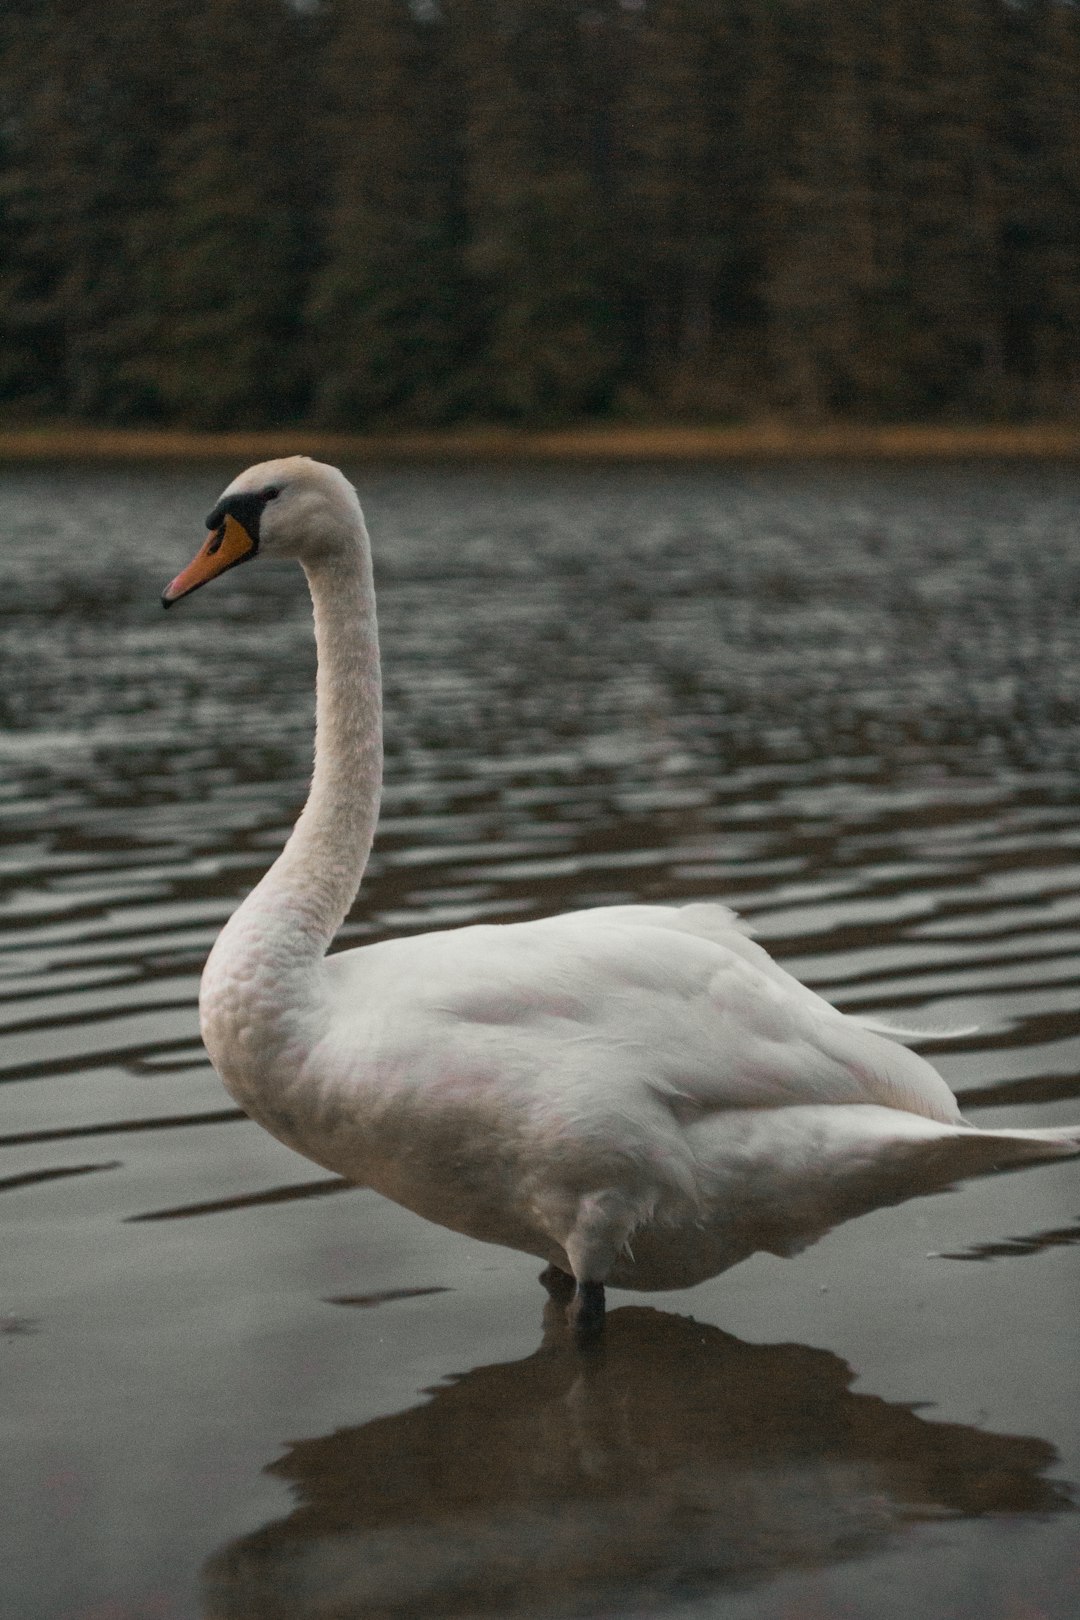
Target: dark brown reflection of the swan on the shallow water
{"points": [[681, 1460]]}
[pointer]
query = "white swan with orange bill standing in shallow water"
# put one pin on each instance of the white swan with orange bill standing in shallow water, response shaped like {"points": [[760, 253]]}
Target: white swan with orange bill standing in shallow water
{"points": [[634, 1094]]}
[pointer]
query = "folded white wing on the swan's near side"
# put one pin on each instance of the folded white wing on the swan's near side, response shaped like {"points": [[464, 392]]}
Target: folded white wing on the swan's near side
{"points": [[595, 1005]]}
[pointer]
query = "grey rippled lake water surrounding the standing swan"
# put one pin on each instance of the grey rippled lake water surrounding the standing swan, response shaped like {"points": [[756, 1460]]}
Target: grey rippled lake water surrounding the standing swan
{"points": [[848, 702]]}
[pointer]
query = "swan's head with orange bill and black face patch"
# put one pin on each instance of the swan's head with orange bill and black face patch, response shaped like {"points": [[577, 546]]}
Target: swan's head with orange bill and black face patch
{"points": [[292, 508]]}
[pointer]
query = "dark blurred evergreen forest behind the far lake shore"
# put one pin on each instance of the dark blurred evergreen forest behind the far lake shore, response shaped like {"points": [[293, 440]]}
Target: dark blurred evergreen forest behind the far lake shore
{"points": [[367, 213]]}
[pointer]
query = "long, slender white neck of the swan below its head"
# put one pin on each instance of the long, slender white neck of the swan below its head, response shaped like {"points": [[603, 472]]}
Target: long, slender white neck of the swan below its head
{"points": [[265, 968]]}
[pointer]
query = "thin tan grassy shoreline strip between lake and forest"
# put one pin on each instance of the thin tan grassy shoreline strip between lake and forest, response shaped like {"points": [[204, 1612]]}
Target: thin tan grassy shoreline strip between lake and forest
{"points": [[760, 441]]}
